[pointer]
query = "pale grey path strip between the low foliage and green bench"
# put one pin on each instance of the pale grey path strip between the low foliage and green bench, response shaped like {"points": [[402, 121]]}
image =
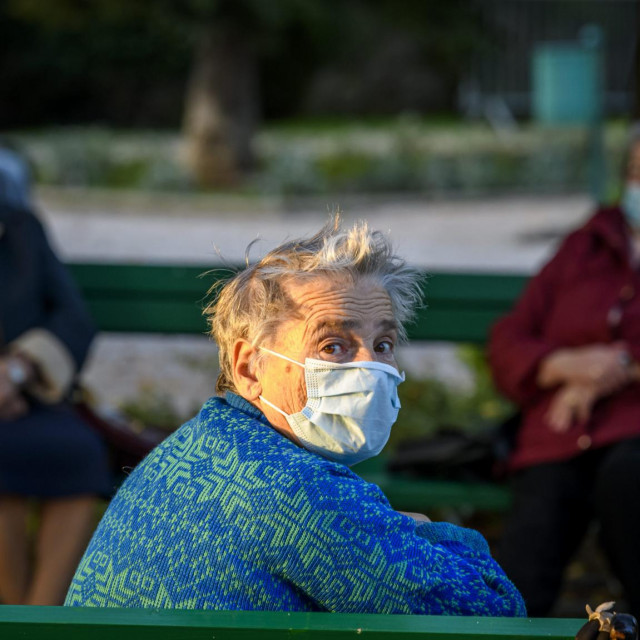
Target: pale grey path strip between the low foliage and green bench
{"points": [[507, 233]]}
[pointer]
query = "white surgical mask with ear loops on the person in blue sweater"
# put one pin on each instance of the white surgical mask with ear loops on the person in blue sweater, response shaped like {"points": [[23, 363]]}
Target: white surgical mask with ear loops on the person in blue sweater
{"points": [[350, 408]]}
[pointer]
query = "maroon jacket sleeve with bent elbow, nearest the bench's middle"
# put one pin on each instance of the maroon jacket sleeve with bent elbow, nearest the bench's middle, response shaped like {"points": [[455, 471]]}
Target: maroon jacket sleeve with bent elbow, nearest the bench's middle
{"points": [[518, 342]]}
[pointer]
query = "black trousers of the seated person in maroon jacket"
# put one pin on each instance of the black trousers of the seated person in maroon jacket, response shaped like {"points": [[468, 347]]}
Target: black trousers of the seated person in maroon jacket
{"points": [[554, 505]]}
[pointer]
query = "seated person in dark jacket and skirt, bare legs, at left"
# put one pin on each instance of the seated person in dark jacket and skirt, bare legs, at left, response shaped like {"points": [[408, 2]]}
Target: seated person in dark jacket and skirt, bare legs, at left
{"points": [[46, 452]]}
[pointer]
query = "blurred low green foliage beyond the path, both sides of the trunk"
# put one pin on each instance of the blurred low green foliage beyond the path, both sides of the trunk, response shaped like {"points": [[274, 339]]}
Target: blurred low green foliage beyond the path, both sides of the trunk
{"points": [[338, 157]]}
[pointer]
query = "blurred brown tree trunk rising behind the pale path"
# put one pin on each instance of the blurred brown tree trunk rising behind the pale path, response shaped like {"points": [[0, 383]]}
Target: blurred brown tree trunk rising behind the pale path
{"points": [[221, 109]]}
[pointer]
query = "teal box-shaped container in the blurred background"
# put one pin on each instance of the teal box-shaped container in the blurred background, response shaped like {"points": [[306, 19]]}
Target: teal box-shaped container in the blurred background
{"points": [[567, 84]]}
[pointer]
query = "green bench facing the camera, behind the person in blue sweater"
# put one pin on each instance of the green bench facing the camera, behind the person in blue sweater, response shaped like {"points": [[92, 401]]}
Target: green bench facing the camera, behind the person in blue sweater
{"points": [[168, 299]]}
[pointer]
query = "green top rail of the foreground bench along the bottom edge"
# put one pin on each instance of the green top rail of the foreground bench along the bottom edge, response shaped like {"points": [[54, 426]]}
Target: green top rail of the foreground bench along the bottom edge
{"points": [[62, 623]]}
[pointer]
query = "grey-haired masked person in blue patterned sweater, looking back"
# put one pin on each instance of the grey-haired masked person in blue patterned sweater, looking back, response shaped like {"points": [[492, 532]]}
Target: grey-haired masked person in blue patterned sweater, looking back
{"points": [[251, 504]]}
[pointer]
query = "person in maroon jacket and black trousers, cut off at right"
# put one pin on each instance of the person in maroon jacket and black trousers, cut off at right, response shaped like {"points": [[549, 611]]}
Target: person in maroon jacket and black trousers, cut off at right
{"points": [[568, 355]]}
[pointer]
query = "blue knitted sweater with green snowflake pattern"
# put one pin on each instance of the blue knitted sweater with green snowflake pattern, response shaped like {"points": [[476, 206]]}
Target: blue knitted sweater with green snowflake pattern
{"points": [[229, 514]]}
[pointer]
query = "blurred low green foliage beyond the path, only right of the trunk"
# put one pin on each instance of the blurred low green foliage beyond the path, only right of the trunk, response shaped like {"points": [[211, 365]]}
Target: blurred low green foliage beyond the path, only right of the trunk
{"points": [[411, 155]]}
